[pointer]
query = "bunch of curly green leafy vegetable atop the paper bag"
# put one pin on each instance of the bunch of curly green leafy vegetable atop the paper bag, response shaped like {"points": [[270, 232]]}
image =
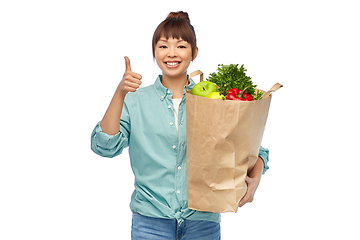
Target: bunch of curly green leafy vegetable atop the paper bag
{"points": [[234, 77]]}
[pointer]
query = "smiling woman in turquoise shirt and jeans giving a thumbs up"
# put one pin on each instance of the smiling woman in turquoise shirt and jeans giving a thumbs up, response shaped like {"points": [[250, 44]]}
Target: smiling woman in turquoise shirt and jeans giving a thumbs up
{"points": [[153, 125]]}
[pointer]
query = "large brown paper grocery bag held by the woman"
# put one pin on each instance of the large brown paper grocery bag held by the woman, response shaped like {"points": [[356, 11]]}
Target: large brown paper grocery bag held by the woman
{"points": [[223, 142]]}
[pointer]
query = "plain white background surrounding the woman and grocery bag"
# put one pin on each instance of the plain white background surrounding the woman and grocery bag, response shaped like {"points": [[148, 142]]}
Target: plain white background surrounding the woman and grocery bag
{"points": [[60, 63]]}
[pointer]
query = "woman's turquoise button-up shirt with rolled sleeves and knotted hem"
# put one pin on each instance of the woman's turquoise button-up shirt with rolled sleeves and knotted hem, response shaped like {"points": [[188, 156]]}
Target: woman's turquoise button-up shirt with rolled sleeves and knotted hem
{"points": [[157, 154]]}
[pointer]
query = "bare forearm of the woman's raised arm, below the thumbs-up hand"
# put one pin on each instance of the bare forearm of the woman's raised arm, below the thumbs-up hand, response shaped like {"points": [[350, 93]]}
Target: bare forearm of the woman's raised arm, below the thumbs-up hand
{"points": [[110, 124]]}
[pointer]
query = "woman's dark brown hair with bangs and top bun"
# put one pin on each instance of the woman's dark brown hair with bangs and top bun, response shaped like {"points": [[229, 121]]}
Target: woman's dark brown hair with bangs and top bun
{"points": [[176, 25]]}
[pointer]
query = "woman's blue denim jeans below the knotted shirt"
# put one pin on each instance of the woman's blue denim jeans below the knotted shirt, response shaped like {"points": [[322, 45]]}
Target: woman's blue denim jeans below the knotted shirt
{"points": [[148, 228]]}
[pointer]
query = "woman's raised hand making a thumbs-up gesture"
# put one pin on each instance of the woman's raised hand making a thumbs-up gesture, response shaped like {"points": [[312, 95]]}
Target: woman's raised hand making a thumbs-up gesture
{"points": [[131, 81]]}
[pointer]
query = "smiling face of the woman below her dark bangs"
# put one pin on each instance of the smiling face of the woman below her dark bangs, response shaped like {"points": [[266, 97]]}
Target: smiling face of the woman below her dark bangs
{"points": [[173, 56]]}
